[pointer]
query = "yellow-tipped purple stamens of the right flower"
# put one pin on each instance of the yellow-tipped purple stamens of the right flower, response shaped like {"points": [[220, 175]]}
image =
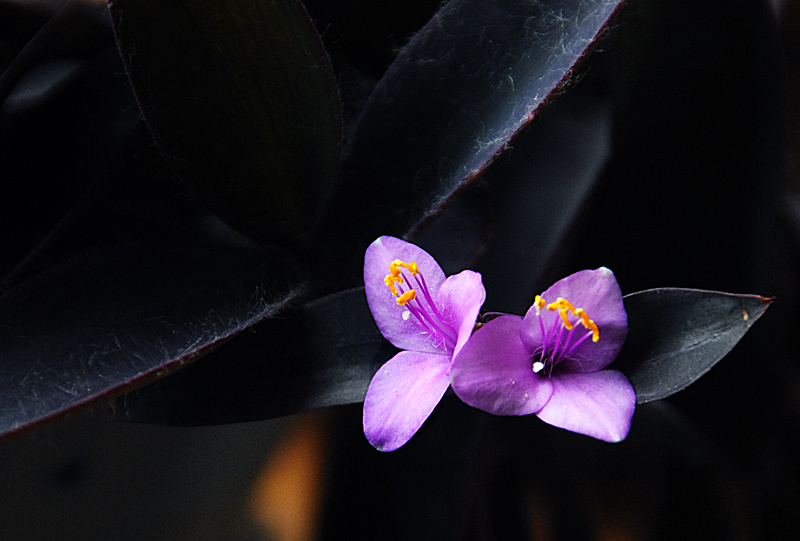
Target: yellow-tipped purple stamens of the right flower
{"points": [[559, 342]]}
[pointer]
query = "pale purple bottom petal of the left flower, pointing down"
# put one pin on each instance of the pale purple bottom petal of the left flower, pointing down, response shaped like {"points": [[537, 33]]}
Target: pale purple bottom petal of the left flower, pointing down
{"points": [[402, 394]]}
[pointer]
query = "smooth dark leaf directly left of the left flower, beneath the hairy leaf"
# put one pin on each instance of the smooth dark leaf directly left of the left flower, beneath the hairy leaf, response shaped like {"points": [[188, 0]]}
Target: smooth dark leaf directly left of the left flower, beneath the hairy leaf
{"points": [[323, 354]]}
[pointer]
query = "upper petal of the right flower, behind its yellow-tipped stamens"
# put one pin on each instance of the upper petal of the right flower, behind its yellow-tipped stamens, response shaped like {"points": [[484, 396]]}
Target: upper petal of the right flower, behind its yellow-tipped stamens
{"points": [[597, 292]]}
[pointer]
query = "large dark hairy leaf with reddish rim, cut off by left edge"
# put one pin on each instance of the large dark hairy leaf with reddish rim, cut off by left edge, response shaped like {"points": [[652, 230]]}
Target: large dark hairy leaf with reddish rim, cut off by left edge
{"points": [[113, 320]]}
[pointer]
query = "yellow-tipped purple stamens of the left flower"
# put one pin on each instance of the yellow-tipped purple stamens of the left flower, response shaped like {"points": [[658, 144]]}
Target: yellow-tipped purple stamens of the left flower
{"points": [[407, 283]]}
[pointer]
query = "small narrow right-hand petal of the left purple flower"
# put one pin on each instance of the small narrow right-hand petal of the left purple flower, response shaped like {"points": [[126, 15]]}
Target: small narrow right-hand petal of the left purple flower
{"points": [[461, 298]]}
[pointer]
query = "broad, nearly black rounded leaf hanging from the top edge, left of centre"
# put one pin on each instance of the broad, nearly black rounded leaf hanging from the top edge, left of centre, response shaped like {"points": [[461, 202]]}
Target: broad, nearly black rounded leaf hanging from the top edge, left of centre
{"points": [[241, 100]]}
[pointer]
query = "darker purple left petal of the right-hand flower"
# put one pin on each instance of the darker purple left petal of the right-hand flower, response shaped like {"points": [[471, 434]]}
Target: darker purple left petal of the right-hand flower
{"points": [[494, 371]]}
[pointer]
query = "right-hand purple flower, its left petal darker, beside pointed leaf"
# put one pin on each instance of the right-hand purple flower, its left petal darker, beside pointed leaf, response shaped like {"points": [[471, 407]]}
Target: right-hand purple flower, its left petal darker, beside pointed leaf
{"points": [[553, 361]]}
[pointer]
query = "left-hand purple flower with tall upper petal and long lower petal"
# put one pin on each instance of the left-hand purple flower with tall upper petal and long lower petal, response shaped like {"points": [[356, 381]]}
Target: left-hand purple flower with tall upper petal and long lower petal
{"points": [[429, 317]]}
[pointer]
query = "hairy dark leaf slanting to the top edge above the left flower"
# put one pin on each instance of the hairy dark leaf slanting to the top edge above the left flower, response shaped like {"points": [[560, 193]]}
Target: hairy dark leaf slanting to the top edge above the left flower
{"points": [[453, 98]]}
